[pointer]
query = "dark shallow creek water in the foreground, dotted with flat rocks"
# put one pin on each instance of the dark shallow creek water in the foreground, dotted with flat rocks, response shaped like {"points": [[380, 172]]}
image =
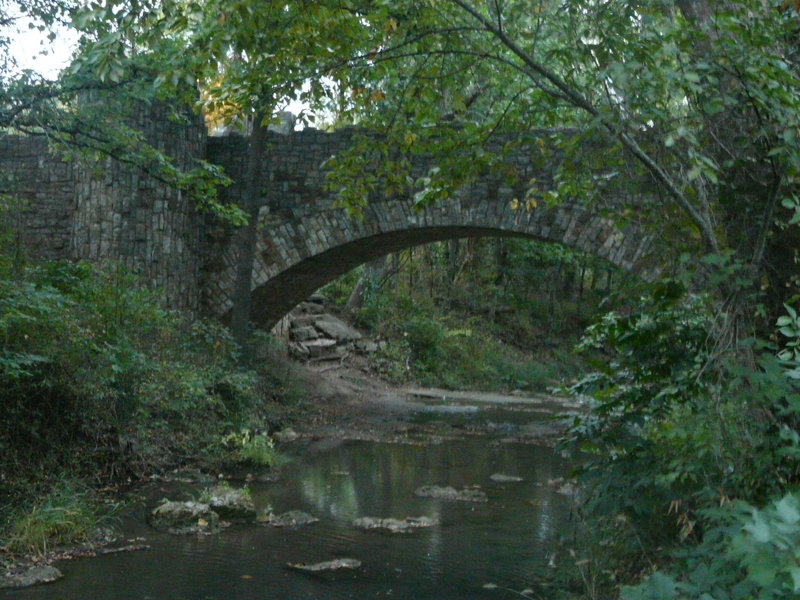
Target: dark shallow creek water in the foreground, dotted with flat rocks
{"points": [[506, 542]]}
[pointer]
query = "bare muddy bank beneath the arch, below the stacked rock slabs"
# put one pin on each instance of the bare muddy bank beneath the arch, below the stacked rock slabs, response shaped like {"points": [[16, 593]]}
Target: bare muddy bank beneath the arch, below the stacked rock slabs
{"points": [[349, 403]]}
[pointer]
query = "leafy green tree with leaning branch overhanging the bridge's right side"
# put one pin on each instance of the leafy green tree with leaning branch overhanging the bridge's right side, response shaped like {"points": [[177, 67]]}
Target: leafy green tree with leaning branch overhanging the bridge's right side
{"points": [[700, 99]]}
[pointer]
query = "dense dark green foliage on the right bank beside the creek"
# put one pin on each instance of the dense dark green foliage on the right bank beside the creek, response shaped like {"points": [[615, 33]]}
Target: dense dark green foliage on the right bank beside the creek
{"points": [[675, 431]]}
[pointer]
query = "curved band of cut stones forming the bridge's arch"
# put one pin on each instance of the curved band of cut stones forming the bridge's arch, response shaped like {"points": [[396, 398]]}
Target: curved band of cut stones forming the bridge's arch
{"points": [[297, 256]]}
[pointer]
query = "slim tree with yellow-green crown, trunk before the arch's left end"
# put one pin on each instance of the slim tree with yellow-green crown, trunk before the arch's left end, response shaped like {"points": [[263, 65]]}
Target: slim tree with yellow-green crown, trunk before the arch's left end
{"points": [[248, 60]]}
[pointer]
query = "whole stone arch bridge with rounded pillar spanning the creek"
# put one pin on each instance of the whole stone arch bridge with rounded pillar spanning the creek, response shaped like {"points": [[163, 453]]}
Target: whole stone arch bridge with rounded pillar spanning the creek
{"points": [[304, 240]]}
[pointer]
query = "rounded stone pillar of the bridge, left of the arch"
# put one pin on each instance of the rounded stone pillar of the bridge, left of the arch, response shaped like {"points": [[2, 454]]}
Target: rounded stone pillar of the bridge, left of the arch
{"points": [[129, 216]]}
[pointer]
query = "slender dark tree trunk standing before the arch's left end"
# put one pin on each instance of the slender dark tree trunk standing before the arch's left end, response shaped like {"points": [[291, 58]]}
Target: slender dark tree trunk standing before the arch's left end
{"points": [[247, 236]]}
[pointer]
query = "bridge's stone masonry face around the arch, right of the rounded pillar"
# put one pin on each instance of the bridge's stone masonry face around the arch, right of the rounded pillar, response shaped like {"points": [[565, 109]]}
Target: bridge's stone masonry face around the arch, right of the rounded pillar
{"points": [[305, 240]]}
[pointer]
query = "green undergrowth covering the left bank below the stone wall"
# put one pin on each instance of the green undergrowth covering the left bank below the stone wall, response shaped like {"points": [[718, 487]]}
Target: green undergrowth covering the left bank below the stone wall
{"points": [[99, 385]]}
